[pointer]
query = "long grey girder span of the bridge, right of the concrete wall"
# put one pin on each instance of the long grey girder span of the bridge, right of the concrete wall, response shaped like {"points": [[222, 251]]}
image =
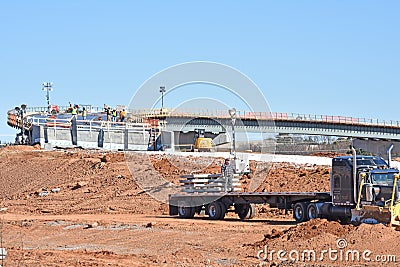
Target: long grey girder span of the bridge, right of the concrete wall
{"points": [[286, 123]]}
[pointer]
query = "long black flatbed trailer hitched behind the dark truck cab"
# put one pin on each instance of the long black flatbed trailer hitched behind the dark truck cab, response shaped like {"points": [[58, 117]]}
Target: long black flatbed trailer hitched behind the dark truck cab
{"points": [[216, 205]]}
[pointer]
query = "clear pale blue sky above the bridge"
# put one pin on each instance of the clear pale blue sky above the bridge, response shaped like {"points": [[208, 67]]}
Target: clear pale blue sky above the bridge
{"points": [[317, 57]]}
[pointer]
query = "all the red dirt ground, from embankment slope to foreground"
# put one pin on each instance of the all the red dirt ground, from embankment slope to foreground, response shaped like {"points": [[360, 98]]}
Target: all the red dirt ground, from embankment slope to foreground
{"points": [[98, 215]]}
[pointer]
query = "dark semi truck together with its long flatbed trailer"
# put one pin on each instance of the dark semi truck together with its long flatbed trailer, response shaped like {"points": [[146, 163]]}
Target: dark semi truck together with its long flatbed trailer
{"points": [[363, 189]]}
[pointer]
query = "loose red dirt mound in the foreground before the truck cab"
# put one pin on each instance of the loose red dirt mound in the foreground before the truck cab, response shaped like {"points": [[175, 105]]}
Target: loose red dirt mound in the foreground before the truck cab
{"points": [[321, 235]]}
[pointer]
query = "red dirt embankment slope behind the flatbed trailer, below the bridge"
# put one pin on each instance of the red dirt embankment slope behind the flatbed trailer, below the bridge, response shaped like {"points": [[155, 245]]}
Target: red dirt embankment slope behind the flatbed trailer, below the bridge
{"points": [[107, 185]]}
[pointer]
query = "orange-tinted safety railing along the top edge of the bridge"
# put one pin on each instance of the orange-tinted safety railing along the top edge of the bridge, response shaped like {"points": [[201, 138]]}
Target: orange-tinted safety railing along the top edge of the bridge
{"points": [[223, 114]]}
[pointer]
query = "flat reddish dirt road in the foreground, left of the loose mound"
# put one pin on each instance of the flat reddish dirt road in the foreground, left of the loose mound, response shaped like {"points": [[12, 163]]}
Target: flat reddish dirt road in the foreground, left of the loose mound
{"points": [[127, 240]]}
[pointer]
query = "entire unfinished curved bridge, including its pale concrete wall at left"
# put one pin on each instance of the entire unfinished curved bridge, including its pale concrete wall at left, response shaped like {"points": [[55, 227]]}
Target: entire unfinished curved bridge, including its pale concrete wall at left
{"points": [[136, 132]]}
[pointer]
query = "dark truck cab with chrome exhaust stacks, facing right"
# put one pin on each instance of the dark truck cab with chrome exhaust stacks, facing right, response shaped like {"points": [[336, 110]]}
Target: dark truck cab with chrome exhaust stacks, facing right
{"points": [[367, 190]]}
